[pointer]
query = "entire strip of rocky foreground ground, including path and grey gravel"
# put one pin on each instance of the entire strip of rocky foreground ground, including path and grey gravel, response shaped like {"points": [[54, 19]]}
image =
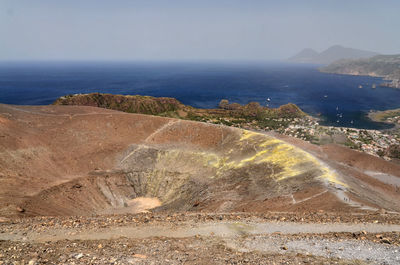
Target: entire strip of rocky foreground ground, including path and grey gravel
{"points": [[273, 238]]}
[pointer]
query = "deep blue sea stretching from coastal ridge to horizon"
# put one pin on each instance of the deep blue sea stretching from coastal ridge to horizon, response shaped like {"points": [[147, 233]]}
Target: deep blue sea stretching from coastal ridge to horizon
{"points": [[337, 99]]}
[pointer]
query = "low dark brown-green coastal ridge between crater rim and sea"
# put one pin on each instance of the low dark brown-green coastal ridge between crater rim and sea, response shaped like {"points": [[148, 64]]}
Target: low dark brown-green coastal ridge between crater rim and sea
{"points": [[171, 107]]}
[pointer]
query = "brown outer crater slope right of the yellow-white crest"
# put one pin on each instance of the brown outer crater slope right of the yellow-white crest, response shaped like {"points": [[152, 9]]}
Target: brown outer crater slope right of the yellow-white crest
{"points": [[356, 167]]}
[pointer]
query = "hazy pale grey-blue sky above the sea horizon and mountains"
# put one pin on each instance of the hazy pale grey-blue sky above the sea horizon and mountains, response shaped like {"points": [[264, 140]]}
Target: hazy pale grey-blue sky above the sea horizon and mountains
{"points": [[192, 30]]}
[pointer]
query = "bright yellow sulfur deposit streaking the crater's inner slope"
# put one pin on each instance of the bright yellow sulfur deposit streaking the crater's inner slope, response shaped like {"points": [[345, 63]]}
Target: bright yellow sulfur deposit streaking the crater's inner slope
{"points": [[292, 161]]}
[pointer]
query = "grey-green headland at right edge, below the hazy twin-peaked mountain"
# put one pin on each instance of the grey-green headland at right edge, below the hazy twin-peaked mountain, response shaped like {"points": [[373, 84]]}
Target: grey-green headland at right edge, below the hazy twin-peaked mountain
{"points": [[386, 66]]}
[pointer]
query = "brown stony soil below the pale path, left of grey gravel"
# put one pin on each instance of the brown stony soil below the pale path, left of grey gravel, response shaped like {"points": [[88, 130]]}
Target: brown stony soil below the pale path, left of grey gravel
{"points": [[148, 251]]}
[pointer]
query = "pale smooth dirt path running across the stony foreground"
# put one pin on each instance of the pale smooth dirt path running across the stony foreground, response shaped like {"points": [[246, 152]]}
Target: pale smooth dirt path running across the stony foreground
{"points": [[220, 229]]}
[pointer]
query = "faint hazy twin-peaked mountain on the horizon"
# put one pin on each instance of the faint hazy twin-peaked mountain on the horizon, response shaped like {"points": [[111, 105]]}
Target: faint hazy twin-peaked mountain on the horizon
{"points": [[330, 55]]}
